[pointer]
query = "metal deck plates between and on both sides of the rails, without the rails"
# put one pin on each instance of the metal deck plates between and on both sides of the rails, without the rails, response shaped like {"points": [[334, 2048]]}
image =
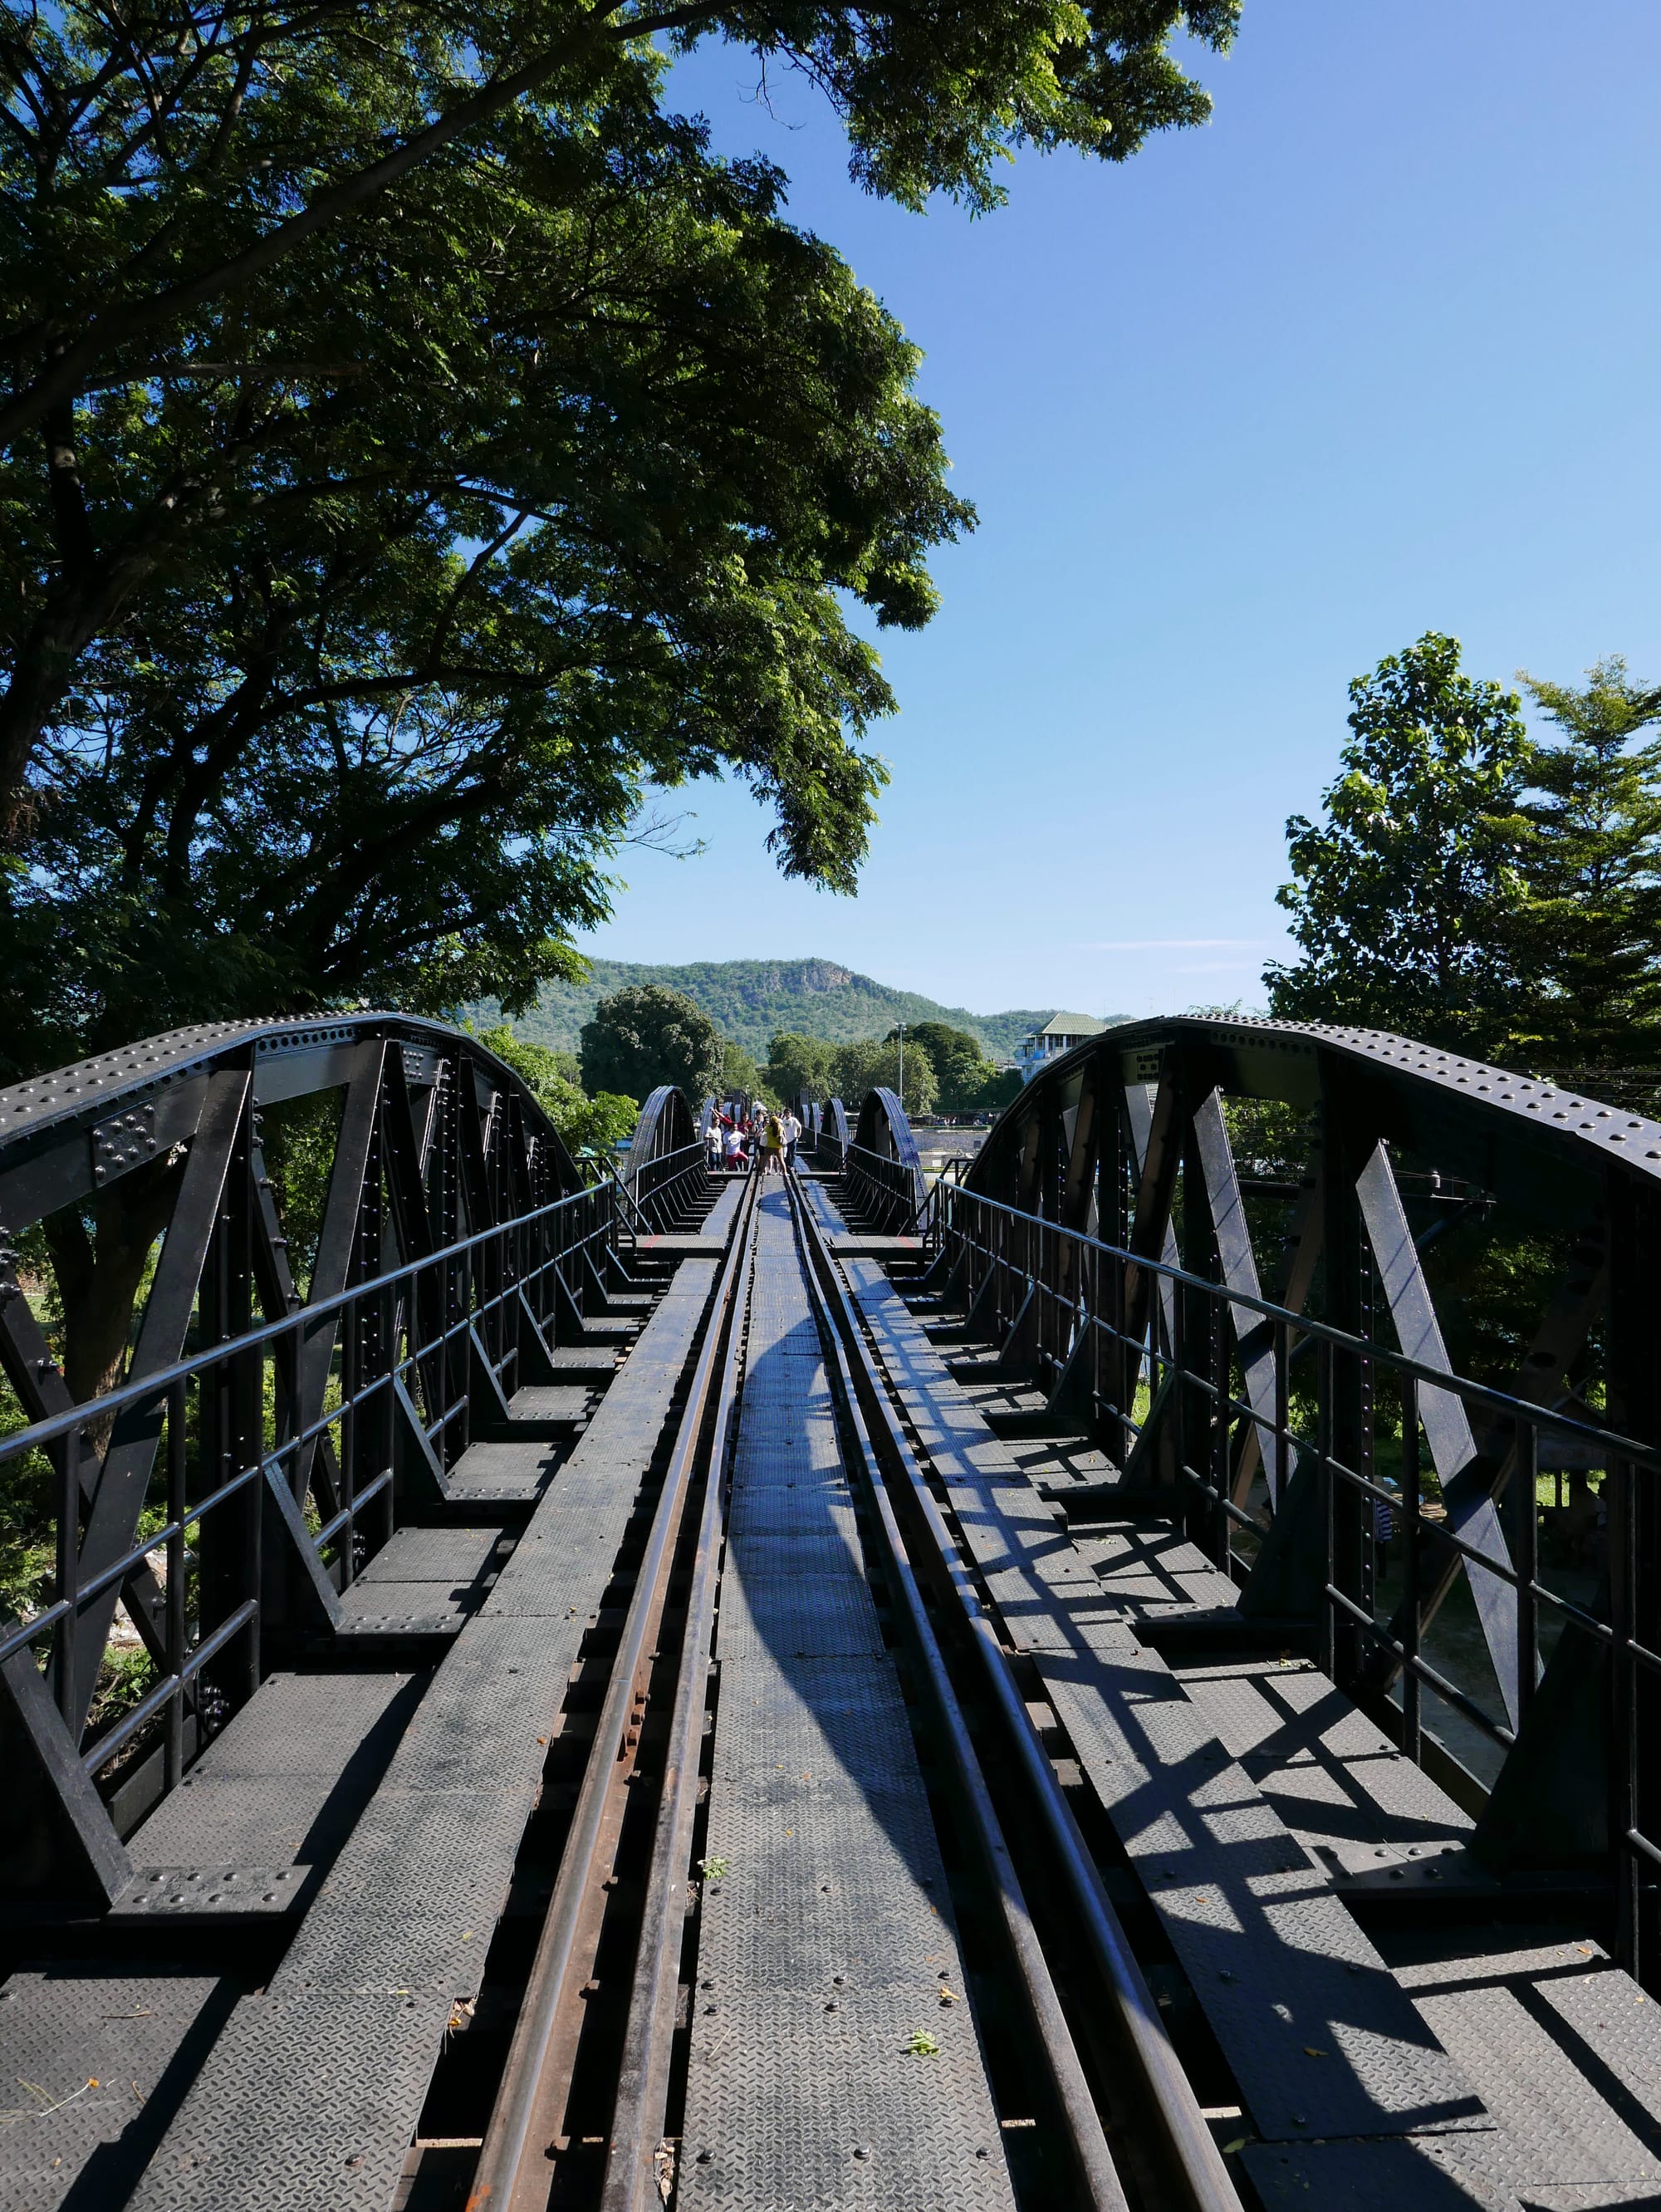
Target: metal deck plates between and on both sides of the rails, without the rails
{"points": [[344, 1870]]}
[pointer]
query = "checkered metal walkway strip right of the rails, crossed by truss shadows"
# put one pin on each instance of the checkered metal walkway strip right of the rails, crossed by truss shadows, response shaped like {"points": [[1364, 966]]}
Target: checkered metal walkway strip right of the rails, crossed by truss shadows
{"points": [[1315, 2027]]}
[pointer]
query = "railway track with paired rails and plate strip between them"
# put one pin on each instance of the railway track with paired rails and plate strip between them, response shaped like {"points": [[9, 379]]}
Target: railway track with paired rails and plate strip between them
{"points": [[603, 2096]]}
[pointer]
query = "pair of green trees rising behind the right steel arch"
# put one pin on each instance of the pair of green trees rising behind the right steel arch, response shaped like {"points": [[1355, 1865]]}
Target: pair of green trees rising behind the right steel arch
{"points": [[1483, 888]]}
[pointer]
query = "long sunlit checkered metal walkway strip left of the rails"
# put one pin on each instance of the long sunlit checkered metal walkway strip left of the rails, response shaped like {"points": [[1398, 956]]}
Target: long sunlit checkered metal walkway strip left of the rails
{"points": [[313, 2091]]}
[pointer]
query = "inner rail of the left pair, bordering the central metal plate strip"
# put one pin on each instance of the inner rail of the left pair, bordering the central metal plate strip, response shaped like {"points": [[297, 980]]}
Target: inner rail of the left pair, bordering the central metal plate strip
{"points": [[645, 2072]]}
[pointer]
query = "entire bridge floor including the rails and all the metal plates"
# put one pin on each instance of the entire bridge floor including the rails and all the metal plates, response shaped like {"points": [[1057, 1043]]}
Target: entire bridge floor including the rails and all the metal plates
{"points": [[804, 1808]]}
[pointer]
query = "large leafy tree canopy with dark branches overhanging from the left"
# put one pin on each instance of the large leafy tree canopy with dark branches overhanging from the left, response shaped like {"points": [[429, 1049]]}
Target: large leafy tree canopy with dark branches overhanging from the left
{"points": [[417, 450]]}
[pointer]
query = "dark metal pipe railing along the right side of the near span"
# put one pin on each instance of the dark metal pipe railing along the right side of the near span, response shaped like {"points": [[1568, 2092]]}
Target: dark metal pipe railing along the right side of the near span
{"points": [[1176, 1419]]}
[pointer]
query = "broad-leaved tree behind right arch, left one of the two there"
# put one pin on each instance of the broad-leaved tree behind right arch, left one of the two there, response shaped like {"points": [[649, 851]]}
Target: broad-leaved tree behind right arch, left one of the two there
{"points": [[1403, 897]]}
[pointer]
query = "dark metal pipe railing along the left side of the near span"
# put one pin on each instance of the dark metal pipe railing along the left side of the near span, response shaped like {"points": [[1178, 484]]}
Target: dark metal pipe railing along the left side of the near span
{"points": [[410, 1377]]}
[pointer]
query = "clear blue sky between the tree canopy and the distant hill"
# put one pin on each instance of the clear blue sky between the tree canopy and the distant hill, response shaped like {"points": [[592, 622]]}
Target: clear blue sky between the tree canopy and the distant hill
{"points": [[1375, 353]]}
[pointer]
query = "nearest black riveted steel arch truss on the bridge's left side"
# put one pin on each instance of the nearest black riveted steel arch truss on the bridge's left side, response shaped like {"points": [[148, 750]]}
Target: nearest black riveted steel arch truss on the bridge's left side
{"points": [[275, 1437]]}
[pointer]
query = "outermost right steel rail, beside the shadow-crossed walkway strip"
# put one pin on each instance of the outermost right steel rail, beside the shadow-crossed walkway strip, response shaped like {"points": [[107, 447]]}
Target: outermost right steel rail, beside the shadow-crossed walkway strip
{"points": [[1182, 2140]]}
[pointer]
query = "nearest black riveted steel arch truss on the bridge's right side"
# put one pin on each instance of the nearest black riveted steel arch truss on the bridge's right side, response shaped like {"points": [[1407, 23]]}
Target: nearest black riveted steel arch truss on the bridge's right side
{"points": [[1372, 1505]]}
